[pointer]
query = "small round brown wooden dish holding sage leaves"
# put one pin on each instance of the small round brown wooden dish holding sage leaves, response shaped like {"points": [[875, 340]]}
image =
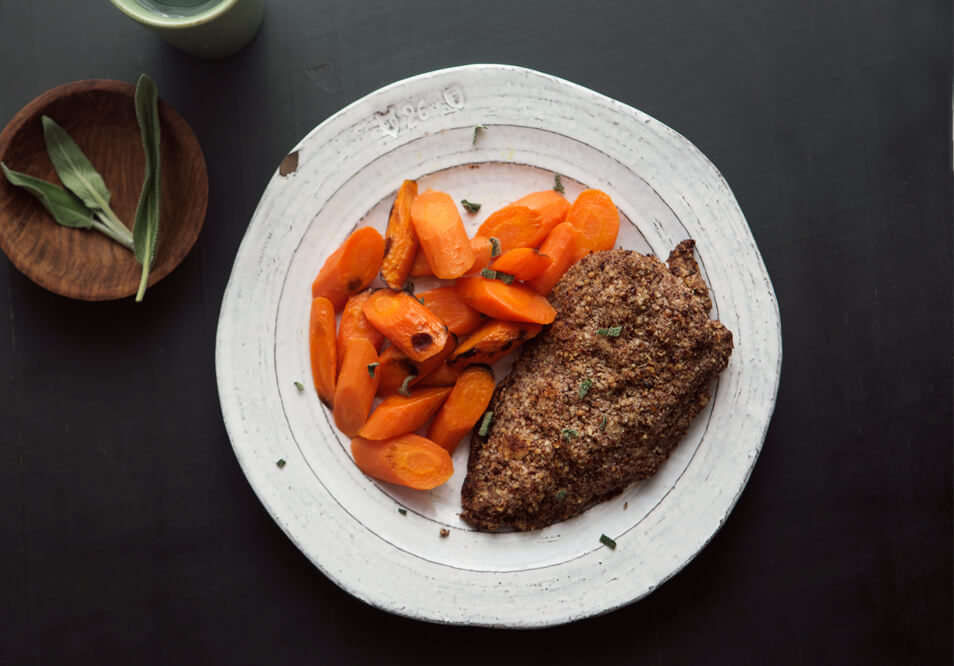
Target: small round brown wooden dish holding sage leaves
{"points": [[82, 263]]}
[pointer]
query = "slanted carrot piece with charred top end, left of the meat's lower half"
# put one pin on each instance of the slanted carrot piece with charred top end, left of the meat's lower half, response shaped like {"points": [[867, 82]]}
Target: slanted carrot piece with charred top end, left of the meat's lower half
{"points": [[464, 406]]}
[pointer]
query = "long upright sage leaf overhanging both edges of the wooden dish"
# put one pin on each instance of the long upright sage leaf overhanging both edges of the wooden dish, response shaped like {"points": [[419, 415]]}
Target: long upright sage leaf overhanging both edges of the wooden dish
{"points": [[146, 225]]}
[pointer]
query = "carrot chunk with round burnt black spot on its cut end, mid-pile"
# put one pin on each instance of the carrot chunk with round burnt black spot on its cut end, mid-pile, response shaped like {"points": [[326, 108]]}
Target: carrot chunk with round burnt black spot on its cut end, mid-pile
{"points": [[410, 327]]}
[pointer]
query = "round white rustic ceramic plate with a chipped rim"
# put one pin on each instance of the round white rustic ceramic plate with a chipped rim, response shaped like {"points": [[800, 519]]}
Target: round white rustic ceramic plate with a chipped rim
{"points": [[347, 173]]}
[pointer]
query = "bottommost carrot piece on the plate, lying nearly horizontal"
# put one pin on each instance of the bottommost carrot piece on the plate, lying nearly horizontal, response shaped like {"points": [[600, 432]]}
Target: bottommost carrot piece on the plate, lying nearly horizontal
{"points": [[408, 460]]}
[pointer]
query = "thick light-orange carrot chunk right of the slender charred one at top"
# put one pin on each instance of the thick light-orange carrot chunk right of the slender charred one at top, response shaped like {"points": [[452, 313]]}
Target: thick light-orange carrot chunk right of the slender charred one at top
{"points": [[441, 233]]}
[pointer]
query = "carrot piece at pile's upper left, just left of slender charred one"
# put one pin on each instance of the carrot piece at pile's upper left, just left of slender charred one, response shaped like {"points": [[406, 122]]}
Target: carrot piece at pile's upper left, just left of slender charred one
{"points": [[351, 268]]}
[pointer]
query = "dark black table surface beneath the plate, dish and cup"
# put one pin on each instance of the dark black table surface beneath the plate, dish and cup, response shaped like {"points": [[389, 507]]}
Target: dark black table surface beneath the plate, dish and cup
{"points": [[128, 533]]}
